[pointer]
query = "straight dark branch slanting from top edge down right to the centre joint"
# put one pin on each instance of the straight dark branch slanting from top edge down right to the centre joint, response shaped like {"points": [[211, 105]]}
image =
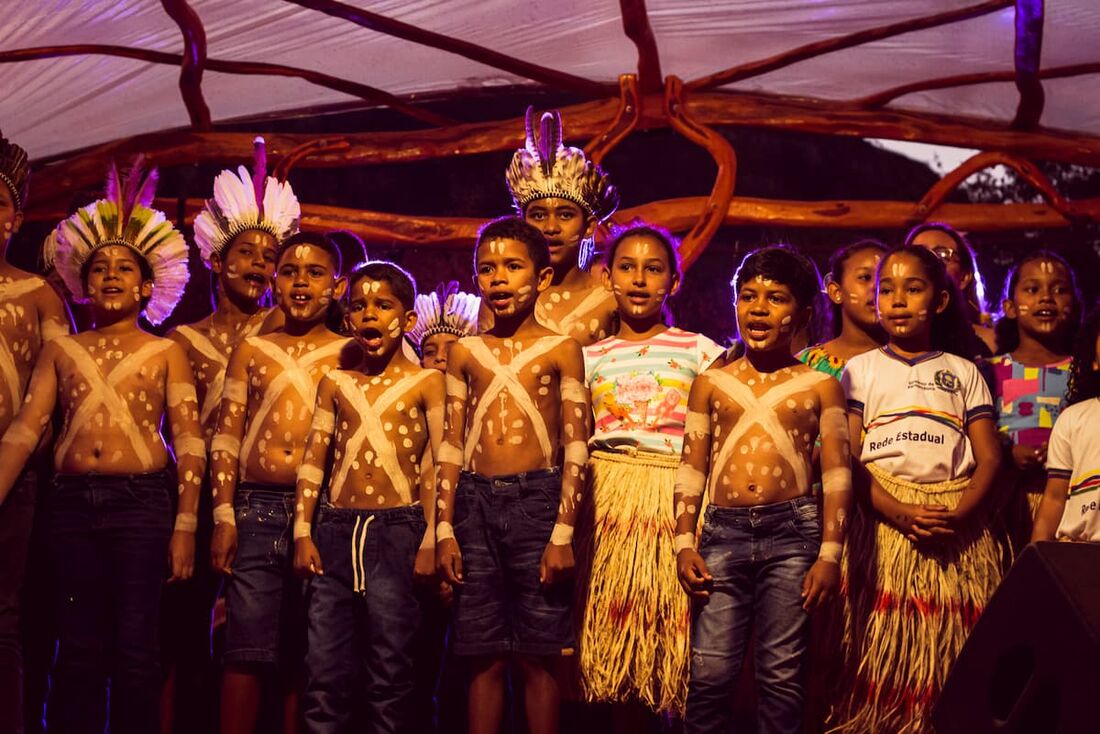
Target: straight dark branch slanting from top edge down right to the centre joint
{"points": [[471, 51]]}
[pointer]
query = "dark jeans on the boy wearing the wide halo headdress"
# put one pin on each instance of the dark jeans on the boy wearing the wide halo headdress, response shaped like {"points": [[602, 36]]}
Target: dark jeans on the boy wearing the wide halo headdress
{"points": [[109, 550]]}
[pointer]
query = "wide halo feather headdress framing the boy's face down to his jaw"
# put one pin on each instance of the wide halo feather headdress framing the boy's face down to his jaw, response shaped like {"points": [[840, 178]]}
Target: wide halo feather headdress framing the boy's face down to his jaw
{"points": [[124, 217]]}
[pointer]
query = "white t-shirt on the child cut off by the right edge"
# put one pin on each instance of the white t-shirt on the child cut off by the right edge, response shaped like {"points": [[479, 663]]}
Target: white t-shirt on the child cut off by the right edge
{"points": [[1074, 455]]}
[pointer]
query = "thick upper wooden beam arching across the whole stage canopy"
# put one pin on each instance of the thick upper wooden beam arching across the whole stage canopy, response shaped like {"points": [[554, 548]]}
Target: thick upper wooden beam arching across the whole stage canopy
{"points": [[584, 123]]}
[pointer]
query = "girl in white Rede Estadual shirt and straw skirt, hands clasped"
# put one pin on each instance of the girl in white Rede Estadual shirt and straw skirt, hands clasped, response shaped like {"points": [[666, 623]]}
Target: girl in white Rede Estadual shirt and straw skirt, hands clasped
{"points": [[923, 563]]}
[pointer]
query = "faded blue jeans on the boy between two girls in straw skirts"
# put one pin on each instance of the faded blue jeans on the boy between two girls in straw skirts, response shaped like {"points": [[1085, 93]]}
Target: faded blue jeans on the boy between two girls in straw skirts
{"points": [[758, 557]]}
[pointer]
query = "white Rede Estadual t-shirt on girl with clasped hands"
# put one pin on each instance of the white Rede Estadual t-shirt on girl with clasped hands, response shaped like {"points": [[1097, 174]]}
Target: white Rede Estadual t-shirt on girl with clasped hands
{"points": [[916, 412]]}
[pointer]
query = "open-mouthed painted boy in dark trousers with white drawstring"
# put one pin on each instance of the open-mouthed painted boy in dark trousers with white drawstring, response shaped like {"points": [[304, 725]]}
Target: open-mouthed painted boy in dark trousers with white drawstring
{"points": [[380, 422]]}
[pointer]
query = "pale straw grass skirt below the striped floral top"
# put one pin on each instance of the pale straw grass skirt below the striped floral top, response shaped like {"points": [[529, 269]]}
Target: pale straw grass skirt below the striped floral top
{"points": [[634, 626]]}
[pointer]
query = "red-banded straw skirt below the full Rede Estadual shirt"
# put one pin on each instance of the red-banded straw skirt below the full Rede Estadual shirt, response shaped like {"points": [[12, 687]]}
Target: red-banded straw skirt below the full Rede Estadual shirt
{"points": [[908, 612]]}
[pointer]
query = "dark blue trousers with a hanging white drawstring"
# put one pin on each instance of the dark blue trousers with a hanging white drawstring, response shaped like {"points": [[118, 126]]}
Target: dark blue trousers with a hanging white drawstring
{"points": [[364, 615]]}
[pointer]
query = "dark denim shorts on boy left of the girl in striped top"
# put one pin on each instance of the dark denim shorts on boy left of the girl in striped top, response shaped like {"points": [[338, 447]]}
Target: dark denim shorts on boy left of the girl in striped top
{"points": [[503, 525]]}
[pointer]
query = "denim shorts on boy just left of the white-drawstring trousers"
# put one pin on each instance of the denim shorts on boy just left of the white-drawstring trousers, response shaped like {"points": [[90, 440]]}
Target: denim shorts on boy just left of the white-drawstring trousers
{"points": [[266, 620]]}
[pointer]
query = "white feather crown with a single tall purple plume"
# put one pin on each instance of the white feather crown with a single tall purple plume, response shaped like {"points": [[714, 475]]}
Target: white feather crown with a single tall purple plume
{"points": [[243, 202]]}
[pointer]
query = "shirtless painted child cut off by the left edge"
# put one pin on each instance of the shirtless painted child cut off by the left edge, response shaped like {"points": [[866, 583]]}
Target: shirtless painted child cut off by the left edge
{"points": [[31, 314]]}
